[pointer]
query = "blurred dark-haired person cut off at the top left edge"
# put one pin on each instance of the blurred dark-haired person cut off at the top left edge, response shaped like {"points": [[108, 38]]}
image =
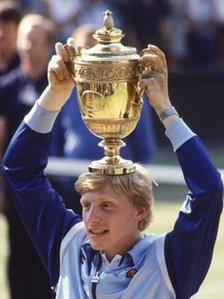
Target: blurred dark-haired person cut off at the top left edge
{"points": [[10, 16]]}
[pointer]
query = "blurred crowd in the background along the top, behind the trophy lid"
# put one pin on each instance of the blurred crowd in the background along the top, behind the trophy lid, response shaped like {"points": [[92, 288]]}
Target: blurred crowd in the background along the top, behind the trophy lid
{"points": [[191, 32]]}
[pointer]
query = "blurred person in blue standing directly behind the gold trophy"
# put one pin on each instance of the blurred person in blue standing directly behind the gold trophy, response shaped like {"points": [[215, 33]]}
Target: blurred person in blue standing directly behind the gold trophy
{"points": [[71, 138]]}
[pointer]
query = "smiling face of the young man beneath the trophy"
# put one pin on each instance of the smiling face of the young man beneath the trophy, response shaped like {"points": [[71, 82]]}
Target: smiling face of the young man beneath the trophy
{"points": [[111, 222]]}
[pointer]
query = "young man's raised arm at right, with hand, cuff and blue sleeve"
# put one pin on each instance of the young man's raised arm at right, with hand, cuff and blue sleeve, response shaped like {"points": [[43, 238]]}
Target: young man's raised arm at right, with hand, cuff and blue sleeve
{"points": [[189, 247]]}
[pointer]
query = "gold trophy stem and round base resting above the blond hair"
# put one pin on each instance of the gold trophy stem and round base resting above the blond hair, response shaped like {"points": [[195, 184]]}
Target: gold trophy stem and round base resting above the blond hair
{"points": [[112, 163]]}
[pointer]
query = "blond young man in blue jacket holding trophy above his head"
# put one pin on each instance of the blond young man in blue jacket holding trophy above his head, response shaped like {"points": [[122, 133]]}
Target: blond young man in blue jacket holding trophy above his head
{"points": [[106, 255]]}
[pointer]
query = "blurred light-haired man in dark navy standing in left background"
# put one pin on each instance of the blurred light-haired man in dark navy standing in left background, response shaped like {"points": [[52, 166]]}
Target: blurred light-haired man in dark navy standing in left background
{"points": [[18, 91]]}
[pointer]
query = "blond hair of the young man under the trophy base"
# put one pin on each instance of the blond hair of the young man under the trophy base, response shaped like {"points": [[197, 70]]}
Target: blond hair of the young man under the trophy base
{"points": [[137, 187]]}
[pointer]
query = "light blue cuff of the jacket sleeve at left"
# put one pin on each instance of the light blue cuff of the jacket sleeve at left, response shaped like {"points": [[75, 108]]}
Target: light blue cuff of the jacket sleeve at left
{"points": [[40, 120]]}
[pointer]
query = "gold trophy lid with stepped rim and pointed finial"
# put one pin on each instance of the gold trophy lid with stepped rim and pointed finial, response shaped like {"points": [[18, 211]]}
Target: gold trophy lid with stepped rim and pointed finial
{"points": [[108, 45]]}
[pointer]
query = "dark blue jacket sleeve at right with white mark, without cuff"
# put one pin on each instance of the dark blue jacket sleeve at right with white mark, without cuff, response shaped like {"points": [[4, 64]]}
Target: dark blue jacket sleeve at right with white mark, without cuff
{"points": [[189, 247]]}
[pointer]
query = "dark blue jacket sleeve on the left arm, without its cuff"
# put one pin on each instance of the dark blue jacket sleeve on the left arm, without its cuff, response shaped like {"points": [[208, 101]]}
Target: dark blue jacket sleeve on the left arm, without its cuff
{"points": [[39, 206]]}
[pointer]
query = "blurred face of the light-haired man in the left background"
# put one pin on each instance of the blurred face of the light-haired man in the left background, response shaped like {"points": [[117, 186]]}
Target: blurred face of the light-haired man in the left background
{"points": [[33, 46]]}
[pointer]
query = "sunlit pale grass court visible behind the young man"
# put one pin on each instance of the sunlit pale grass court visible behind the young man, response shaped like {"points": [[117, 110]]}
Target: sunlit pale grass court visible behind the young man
{"points": [[165, 213]]}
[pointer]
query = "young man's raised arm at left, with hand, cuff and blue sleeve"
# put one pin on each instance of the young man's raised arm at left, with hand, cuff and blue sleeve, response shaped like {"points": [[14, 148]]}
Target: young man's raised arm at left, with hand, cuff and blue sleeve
{"points": [[39, 206]]}
